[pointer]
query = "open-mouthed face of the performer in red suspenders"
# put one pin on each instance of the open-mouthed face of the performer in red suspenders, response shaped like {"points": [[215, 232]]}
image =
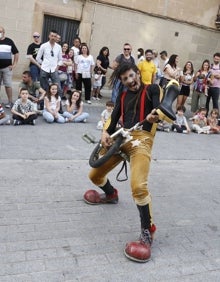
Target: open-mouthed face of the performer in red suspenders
{"points": [[131, 80]]}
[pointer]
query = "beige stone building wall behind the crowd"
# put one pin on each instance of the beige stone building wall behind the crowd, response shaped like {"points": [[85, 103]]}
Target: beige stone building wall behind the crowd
{"points": [[186, 28]]}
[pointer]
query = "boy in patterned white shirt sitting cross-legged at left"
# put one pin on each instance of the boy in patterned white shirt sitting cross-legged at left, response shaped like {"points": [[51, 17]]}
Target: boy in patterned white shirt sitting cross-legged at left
{"points": [[23, 109]]}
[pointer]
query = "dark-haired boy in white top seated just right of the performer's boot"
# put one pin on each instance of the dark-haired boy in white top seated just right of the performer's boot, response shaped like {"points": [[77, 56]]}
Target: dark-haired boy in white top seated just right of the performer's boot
{"points": [[180, 125]]}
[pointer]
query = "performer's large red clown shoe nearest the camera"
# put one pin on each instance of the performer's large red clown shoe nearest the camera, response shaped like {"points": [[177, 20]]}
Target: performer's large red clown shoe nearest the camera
{"points": [[140, 251]]}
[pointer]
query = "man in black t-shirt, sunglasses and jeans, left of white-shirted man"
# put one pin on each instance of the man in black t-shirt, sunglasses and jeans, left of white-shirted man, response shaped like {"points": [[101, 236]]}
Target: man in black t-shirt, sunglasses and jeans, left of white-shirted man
{"points": [[32, 51]]}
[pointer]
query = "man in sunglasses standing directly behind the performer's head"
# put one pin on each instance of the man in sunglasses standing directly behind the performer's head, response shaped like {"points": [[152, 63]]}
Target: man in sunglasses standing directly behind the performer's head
{"points": [[124, 57]]}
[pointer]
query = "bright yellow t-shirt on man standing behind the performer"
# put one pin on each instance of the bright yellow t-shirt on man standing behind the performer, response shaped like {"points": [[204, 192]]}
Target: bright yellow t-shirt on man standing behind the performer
{"points": [[148, 71]]}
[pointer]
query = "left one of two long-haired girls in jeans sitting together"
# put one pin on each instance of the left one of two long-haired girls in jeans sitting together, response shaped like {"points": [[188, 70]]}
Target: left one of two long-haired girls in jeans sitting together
{"points": [[52, 105]]}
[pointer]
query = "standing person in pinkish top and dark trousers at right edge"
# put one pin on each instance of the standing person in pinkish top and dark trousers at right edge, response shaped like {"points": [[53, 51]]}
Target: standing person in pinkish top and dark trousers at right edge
{"points": [[214, 86]]}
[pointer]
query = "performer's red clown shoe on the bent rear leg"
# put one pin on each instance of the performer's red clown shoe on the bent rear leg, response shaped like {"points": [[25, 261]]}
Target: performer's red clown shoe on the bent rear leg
{"points": [[92, 197]]}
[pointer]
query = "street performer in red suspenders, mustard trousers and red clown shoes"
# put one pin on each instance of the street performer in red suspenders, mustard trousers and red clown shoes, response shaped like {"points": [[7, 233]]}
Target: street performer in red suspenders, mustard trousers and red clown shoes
{"points": [[139, 102]]}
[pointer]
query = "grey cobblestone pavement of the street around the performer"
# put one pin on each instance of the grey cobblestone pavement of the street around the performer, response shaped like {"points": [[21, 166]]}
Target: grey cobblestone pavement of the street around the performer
{"points": [[47, 232]]}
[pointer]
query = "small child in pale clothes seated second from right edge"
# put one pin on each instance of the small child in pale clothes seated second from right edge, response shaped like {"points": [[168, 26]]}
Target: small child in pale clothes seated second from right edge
{"points": [[199, 122]]}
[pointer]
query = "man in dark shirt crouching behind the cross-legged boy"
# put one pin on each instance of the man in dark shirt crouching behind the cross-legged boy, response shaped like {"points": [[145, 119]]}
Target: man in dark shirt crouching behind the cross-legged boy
{"points": [[35, 92]]}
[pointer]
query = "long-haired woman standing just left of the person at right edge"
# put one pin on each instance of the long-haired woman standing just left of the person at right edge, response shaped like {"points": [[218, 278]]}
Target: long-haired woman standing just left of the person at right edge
{"points": [[201, 79]]}
